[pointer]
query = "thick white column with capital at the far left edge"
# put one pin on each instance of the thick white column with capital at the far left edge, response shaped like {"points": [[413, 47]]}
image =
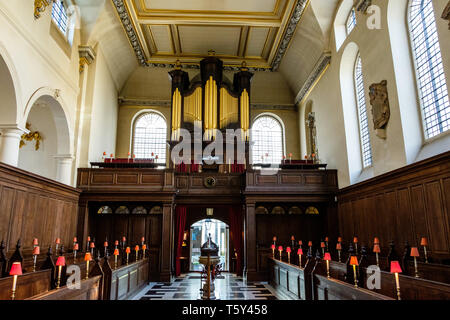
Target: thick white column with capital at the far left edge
{"points": [[9, 144]]}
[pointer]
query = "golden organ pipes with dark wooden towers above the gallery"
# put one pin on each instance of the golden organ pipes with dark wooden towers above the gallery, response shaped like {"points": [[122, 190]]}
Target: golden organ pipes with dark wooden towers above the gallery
{"points": [[210, 101]]}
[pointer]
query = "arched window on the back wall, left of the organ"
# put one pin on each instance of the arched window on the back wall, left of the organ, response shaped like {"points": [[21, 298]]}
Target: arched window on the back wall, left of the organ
{"points": [[150, 135]]}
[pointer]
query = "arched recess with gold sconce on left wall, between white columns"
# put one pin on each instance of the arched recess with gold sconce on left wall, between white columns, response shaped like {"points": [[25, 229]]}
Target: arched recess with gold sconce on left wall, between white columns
{"points": [[51, 158]]}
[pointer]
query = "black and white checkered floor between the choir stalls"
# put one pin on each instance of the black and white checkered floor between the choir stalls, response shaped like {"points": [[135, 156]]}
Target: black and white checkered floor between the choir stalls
{"points": [[228, 287]]}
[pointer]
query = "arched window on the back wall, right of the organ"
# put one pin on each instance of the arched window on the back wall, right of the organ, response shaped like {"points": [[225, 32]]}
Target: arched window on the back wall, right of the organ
{"points": [[268, 139]]}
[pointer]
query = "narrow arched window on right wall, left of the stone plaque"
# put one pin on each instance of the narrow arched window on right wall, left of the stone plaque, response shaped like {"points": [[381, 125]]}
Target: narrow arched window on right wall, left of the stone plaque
{"points": [[366, 147]]}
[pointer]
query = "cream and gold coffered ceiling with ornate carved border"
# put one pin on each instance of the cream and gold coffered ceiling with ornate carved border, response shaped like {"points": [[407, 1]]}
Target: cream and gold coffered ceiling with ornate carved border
{"points": [[255, 31]]}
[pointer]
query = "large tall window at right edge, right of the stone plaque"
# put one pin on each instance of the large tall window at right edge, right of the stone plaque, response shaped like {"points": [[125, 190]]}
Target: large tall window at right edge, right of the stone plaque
{"points": [[431, 81]]}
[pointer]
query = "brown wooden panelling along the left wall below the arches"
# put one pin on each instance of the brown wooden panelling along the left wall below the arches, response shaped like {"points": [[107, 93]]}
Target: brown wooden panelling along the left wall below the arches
{"points": [[35, 207]]}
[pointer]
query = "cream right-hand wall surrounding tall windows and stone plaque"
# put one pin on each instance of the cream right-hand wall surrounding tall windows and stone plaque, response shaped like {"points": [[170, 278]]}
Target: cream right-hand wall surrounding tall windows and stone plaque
{"points": [[378, 64]]}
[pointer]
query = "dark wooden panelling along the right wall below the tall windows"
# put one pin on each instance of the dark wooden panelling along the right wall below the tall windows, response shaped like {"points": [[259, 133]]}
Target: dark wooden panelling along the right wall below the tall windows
{"points": [[403, 205]]}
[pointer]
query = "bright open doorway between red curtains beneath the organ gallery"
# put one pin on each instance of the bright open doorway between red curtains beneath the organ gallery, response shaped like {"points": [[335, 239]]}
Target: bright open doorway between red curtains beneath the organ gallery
{"points": [[220, 235]]}
